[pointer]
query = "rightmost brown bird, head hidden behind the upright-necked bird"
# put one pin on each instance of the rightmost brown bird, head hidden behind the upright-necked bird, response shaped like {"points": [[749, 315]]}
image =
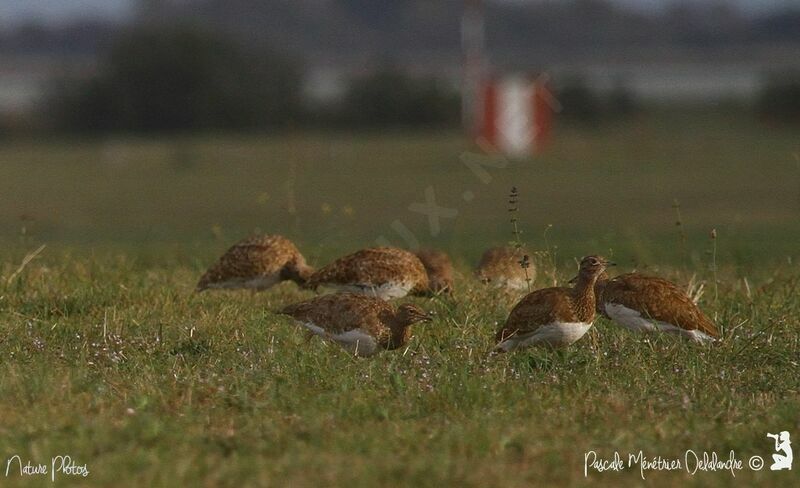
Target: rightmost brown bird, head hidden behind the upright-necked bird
{"points": [[647, 303]]}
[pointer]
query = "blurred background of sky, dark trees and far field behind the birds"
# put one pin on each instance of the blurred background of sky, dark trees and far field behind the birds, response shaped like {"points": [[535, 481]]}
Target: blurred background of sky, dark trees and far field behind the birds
{"points": [[133, 122]]}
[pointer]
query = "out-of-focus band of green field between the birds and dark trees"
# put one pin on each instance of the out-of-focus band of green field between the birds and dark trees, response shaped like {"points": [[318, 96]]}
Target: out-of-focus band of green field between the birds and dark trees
{"points": [[608, 190]]}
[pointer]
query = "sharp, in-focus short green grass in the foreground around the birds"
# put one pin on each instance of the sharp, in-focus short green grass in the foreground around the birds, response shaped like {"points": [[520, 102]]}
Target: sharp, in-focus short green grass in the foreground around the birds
{"points": [[233, 394]]}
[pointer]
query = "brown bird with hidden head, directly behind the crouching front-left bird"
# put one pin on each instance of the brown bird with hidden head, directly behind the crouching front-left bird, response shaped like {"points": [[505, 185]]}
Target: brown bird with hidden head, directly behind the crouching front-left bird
{"points": [[385, 272]]}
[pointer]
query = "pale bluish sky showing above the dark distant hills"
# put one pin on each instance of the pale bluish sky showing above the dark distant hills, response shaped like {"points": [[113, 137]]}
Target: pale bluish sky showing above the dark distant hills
{"points": [[56, 10]]}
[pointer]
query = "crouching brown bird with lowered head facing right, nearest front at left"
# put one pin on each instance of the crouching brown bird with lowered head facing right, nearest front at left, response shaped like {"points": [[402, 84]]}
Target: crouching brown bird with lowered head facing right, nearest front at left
{"points": [[361, 324]]}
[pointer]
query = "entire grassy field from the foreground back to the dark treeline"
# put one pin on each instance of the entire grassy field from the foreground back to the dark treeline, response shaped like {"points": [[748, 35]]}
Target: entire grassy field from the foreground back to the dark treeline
{"points": [[108, 356]]}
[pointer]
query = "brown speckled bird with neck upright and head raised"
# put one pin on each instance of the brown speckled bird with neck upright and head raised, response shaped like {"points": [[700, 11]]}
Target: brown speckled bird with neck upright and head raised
{"points": [[554, 316]]}
